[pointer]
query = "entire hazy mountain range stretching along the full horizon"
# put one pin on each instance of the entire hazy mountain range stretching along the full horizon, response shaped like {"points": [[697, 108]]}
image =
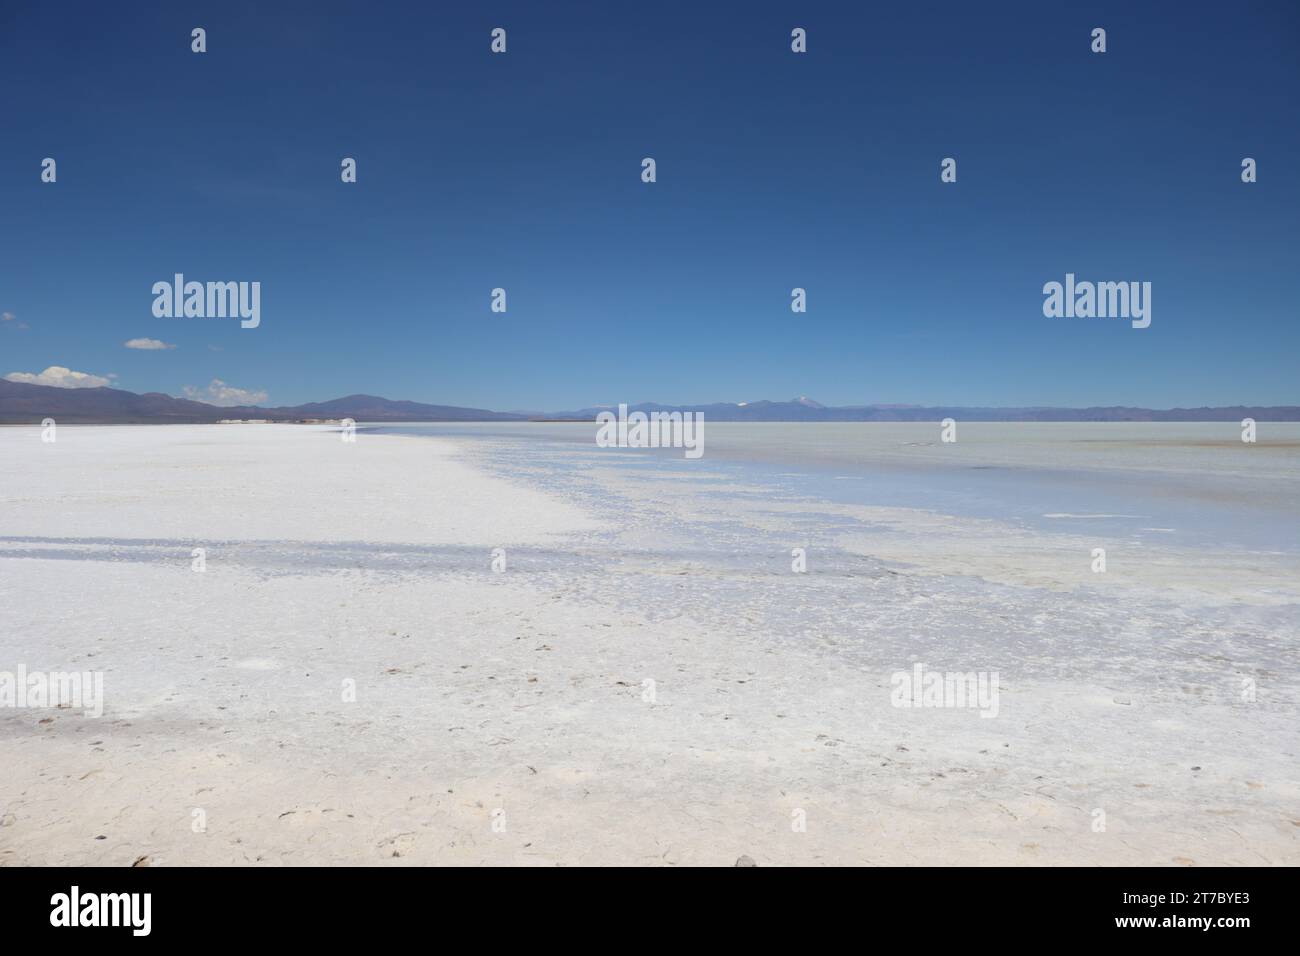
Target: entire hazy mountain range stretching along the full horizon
{"points": [[23, 404]]}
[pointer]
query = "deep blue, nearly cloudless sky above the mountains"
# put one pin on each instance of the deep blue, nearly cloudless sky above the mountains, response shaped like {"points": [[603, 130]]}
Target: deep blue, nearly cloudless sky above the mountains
{"points": [[775, 171]]}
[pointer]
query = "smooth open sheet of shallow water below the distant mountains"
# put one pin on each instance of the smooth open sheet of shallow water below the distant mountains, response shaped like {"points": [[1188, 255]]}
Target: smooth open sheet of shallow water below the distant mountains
{"points": [[1184, 485]]}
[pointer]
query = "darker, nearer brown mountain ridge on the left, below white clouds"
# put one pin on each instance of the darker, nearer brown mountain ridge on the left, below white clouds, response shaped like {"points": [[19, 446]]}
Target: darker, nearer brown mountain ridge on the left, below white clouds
{"points": [[31, 404]]}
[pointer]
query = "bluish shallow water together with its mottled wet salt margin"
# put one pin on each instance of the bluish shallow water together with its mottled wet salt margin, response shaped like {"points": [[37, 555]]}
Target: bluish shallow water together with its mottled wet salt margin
{"points": [[712, 540]]}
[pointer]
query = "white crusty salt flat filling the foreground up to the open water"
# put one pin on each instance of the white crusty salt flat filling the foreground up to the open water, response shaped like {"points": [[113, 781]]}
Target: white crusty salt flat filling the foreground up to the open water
{"points": [[645, 684]]}
